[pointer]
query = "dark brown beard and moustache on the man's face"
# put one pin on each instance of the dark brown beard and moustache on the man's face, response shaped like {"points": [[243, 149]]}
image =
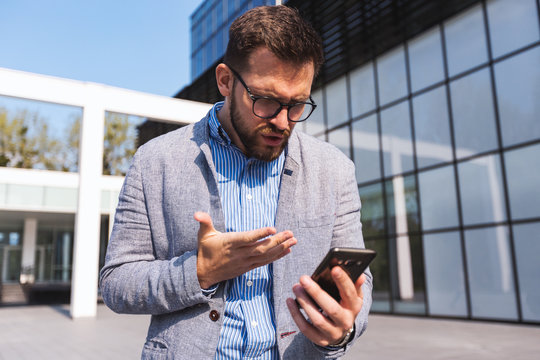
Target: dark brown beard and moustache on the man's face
{"points": [[251, 137]]}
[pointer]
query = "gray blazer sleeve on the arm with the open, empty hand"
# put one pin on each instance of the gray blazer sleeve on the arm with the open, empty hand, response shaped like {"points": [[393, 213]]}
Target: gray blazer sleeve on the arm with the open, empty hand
{"points": [[134, 280]]}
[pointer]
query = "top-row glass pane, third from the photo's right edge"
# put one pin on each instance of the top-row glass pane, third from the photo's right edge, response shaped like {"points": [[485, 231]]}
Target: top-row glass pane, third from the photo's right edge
{"points": [[425, 59]]}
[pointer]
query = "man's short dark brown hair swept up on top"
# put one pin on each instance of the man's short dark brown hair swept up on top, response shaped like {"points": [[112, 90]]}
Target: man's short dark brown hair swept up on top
{"points": [[278, 28]]}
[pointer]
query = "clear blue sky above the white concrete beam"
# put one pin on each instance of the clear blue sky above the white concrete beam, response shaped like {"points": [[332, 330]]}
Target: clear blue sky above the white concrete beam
{"points": [[140, 44]]}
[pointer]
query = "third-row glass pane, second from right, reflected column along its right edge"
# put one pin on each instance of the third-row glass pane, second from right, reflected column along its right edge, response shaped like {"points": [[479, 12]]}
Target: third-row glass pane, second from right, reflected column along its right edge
{"points": [[482, 194]]}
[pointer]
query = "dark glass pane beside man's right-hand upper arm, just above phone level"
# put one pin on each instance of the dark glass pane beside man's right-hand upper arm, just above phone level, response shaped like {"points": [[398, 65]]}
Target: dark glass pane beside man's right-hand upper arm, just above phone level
{"points": [[372, 210]]}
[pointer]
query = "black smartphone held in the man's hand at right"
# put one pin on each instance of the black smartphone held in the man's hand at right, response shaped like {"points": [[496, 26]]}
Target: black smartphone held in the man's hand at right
{"points": [[353, 260]]}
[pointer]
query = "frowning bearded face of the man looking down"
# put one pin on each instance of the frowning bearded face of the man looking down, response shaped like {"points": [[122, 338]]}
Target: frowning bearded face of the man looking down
{"points": [[265, 139]]}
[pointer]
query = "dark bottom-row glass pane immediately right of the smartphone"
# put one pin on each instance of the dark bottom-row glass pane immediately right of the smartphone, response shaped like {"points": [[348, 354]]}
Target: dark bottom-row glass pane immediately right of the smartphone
{"points": [[380, 268]]}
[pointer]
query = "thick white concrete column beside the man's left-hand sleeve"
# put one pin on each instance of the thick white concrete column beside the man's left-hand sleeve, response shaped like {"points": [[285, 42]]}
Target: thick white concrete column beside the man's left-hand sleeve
{"points": [[84, 281]]}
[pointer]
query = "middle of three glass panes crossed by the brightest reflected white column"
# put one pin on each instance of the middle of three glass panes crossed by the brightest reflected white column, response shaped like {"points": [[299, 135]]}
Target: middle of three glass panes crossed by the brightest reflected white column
{"points": [[402, 205]]}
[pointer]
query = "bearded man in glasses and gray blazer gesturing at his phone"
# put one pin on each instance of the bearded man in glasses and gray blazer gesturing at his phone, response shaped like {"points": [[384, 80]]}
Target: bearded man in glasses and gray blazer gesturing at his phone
{"points": [[219, 223]]}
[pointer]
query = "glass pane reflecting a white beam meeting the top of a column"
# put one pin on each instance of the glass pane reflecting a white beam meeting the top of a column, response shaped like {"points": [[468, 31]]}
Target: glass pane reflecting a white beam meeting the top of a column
{"points": [[396, 139]]}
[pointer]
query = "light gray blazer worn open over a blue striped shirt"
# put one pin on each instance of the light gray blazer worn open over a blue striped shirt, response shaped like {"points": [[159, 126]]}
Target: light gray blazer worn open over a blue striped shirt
{"points": [[150, 267]]}
